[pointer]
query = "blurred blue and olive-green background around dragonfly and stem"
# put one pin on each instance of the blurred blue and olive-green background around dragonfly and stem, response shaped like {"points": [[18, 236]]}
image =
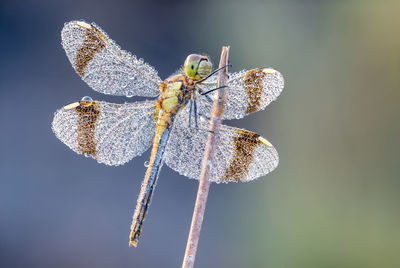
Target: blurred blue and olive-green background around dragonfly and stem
{"points": [[334, 199]]}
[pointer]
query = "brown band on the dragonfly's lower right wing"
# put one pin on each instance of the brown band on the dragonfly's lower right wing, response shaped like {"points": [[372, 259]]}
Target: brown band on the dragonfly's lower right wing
{"points": [[245, 144]]}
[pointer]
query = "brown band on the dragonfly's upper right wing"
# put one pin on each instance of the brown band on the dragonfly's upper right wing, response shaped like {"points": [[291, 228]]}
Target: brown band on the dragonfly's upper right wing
{"points": [[254, 87]]}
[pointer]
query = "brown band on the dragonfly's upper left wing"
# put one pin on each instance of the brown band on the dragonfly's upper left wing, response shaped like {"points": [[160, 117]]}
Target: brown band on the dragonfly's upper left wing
{"points": [[93, 43]]}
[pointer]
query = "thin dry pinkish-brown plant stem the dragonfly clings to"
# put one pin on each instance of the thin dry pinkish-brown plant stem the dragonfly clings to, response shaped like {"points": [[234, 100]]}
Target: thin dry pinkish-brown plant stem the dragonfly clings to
{"points": [[207, 164]]}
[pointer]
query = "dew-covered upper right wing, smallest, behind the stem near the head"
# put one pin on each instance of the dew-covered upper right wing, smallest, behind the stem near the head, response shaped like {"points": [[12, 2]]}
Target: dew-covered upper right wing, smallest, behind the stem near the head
{"points": [[248, 92]]}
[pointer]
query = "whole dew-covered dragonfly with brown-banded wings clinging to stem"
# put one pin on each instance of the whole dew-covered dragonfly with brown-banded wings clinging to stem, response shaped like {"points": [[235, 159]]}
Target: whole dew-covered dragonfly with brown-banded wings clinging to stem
{"points": [[175, 122]]}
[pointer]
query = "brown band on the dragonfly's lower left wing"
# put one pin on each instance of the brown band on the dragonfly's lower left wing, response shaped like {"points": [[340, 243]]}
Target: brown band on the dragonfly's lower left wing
{"points": [[88, 113]]}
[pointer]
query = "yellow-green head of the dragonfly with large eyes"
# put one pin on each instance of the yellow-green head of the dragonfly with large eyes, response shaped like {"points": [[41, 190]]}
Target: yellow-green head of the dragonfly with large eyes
{"points": [[197, 66]]}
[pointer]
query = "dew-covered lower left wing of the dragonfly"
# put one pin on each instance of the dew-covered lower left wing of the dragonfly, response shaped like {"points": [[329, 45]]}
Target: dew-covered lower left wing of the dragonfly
{"points": [[110, 133]]}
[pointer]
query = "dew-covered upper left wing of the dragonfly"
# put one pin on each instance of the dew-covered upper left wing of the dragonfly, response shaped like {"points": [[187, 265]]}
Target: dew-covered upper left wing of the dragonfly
{"points": [[104, 66]]}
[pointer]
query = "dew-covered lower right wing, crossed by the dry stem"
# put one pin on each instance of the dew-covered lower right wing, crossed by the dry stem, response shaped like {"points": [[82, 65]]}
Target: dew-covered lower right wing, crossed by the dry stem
{"points": [[241, 155]]}
